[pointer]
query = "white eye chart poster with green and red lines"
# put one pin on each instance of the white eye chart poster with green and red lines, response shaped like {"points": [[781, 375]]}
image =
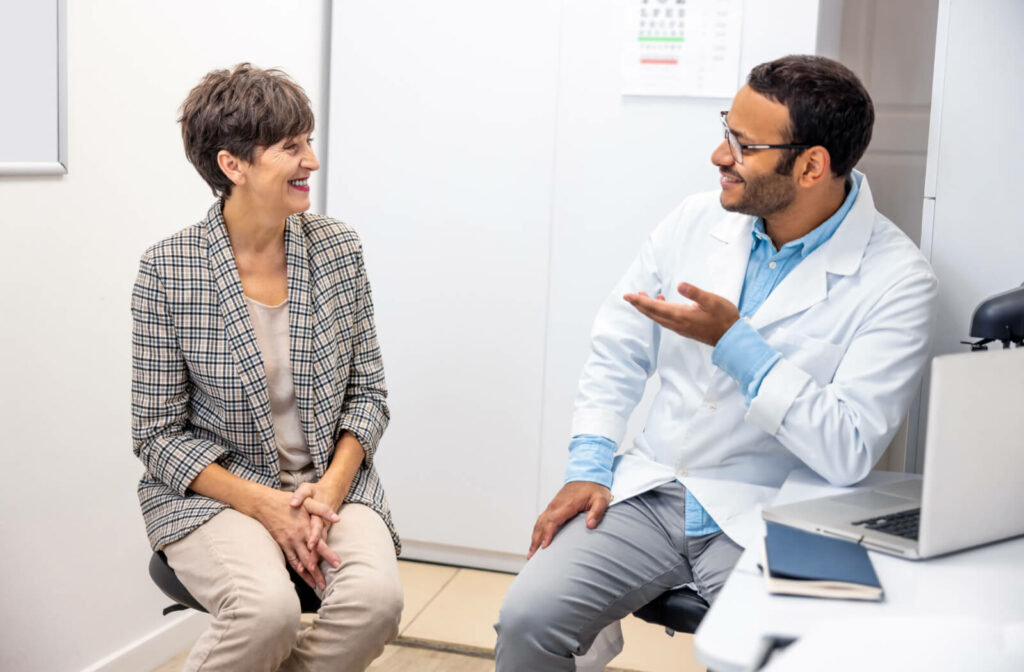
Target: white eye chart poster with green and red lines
{"points": [[682, 48]]}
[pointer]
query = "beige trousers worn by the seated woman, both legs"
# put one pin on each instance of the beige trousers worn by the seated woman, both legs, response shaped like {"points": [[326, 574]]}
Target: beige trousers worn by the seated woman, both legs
{"points": [[236, 570]]}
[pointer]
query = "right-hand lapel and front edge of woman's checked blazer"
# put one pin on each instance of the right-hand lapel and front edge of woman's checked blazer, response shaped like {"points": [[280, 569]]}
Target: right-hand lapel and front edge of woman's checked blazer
{"points": [[301, 330]]}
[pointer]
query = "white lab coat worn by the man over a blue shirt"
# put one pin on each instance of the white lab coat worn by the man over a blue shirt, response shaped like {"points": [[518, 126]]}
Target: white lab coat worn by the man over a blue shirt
{"points": [[854, 324]]}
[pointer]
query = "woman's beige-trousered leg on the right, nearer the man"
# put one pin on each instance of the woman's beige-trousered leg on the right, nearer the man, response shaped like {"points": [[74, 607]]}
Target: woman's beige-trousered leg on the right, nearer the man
{"points": [[363, 602]]}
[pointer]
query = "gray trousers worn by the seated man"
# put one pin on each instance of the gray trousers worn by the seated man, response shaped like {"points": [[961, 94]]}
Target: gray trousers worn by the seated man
{"points": [[587, 579]]}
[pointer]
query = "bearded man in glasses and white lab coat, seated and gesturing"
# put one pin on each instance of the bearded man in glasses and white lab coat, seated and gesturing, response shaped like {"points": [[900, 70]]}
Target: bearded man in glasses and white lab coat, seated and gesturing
{"points": [[789, 323]]}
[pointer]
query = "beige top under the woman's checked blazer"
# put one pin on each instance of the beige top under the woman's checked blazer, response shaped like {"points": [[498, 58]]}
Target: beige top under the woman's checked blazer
{"points": [[271, 325]]}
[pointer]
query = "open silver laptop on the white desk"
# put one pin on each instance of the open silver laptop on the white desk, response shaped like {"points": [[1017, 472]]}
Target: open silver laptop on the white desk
{"points": [[973, 487]]}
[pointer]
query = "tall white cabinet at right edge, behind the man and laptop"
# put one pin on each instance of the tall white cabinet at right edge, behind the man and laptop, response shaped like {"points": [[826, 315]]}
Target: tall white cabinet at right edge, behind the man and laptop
{"points": [[972, 229]]}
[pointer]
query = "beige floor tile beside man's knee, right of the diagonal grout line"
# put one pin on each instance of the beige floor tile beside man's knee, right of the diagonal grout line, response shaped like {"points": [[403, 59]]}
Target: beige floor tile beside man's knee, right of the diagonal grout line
{"points": [[465, 612]]}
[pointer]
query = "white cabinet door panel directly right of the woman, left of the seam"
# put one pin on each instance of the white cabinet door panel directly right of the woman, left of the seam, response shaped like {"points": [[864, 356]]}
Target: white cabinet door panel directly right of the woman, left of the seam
{"points": [[442, 131]]}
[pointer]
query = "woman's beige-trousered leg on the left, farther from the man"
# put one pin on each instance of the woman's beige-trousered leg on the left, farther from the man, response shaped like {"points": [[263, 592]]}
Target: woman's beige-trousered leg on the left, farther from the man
{"points": [[236, 570]]}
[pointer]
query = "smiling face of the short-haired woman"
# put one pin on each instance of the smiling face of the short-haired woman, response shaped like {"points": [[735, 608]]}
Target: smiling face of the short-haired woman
{"points": [[276, 182]]}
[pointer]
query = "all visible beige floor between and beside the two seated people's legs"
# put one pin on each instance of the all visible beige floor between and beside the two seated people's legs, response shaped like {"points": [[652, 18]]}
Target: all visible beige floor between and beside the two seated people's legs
{"points": [[454, 610]]}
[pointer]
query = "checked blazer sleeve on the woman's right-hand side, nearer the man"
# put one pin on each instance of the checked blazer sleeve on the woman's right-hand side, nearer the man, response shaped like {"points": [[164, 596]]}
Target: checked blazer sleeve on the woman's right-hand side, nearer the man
{"points": [[365, 411]]}
